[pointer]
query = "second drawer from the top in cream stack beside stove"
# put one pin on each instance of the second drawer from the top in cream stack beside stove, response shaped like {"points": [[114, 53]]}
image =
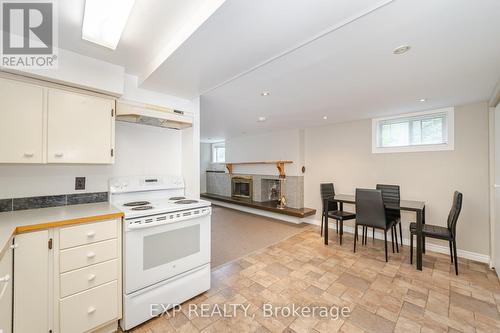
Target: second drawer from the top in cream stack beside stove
{"points": [[87, 255]]}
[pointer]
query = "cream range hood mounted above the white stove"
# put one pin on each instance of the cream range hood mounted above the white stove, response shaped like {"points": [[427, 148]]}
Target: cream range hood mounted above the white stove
{"points": [[152, 115]]}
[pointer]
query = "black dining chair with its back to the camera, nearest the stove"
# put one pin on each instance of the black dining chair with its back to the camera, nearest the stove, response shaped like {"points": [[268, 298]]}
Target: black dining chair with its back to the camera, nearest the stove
{"points": [[370, 212]]}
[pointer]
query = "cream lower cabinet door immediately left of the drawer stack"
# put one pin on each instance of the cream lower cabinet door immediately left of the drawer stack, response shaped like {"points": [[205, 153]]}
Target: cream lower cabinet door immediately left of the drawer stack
{"points": [[31, 283]]}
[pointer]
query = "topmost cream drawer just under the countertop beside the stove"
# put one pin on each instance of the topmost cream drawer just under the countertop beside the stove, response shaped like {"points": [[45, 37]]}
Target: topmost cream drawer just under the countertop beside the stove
{"points": [[87, 233]]}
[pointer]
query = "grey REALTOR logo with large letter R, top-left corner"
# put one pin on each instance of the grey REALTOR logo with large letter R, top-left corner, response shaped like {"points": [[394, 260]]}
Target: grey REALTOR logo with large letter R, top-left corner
{"points": [[28, 34]]}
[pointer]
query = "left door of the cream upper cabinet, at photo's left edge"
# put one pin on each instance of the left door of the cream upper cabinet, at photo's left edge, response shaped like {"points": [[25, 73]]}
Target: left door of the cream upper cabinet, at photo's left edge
{"points": [[21, 122]]}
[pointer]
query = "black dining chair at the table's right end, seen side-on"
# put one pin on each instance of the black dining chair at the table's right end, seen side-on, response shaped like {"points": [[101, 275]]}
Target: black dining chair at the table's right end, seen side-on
{"points": [[448, 233]]}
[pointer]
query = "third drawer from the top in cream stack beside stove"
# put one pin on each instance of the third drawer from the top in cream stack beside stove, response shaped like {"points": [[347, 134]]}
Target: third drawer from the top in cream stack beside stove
{"points": [[89, 277]]}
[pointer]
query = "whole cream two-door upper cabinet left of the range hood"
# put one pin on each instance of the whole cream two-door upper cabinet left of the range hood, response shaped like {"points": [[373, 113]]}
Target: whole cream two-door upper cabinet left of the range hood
{"points": [[40, 123]]}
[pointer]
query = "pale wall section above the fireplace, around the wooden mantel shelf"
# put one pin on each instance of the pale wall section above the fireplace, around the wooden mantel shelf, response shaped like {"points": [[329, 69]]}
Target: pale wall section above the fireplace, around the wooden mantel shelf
{"points": [[278, 145]]}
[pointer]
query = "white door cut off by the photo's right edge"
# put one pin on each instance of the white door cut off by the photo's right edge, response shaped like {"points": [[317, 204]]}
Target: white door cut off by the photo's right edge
{"points": [[496, 236]]}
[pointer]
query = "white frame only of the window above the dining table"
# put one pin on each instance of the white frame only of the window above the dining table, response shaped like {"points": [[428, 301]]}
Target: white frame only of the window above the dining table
{"points": [[450, 132]]}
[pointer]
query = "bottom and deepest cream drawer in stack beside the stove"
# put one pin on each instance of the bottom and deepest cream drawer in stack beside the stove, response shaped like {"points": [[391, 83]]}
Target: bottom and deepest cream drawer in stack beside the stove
{"points": [[85, 311]]}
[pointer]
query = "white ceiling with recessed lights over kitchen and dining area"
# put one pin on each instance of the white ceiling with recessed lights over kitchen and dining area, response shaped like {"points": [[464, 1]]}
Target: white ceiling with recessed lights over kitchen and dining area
{"points": [[316, 57]]}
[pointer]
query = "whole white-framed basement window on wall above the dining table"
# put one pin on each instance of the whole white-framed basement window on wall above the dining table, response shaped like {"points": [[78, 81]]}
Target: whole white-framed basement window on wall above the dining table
{"points": [[420, 131]]}
